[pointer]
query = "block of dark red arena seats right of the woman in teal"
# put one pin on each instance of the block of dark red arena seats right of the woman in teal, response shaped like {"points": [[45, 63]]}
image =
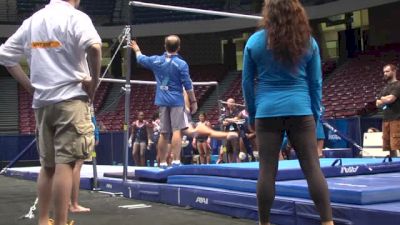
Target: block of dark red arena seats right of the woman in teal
{"points": [[351, 90]]}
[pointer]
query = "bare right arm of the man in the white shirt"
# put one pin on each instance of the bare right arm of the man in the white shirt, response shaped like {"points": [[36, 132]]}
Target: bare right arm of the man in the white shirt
{"points": [[94, 60]]}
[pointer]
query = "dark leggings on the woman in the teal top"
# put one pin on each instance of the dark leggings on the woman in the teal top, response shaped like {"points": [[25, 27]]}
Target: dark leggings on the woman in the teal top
{"points": [[301, 133]]}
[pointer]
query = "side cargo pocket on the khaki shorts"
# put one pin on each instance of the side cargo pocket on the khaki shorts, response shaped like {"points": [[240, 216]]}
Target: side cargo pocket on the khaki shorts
{"points": [[85, 140]]}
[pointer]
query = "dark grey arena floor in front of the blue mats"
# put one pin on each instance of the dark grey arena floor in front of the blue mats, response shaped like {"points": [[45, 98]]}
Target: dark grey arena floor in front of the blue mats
{"points": [[18, 195]]}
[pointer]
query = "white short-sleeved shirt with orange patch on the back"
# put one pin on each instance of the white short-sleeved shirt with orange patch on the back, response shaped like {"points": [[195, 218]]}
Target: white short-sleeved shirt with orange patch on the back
{"points": [[54, 41]]}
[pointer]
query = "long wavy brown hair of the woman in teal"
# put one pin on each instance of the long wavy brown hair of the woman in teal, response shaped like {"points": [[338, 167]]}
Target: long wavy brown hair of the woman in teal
{"points": [[288, 30]]}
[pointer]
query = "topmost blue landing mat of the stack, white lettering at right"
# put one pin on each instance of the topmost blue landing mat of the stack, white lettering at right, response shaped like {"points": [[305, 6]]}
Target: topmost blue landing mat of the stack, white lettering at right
{"points": [[288, 169]]}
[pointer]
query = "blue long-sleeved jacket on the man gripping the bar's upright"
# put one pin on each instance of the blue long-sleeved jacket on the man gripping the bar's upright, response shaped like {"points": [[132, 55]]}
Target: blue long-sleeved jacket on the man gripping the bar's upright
{"points": [[172, 75]]}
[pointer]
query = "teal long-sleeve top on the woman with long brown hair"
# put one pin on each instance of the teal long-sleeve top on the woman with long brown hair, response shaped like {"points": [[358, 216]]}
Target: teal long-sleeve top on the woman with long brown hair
{"points": [[272, 90]]}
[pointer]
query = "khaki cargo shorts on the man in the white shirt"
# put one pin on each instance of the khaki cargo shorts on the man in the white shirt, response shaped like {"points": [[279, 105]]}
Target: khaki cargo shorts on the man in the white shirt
{"points": [[65, 132]]}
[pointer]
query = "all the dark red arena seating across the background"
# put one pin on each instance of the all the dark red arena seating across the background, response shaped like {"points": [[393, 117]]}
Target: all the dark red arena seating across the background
{"points": [[349, 91]]}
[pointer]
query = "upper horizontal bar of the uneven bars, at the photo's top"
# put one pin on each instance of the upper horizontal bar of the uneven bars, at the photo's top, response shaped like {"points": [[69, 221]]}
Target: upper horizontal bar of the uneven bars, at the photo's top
{"points": [[193, 10]]}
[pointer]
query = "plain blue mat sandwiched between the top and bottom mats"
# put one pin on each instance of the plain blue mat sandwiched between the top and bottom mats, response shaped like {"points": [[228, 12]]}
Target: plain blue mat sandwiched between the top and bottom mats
{"points": [[360, 190]]}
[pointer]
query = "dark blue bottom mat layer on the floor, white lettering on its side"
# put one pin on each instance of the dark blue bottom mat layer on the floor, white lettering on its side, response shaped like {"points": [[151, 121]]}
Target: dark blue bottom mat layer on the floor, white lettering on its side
{"points": [[285, 210]]}
